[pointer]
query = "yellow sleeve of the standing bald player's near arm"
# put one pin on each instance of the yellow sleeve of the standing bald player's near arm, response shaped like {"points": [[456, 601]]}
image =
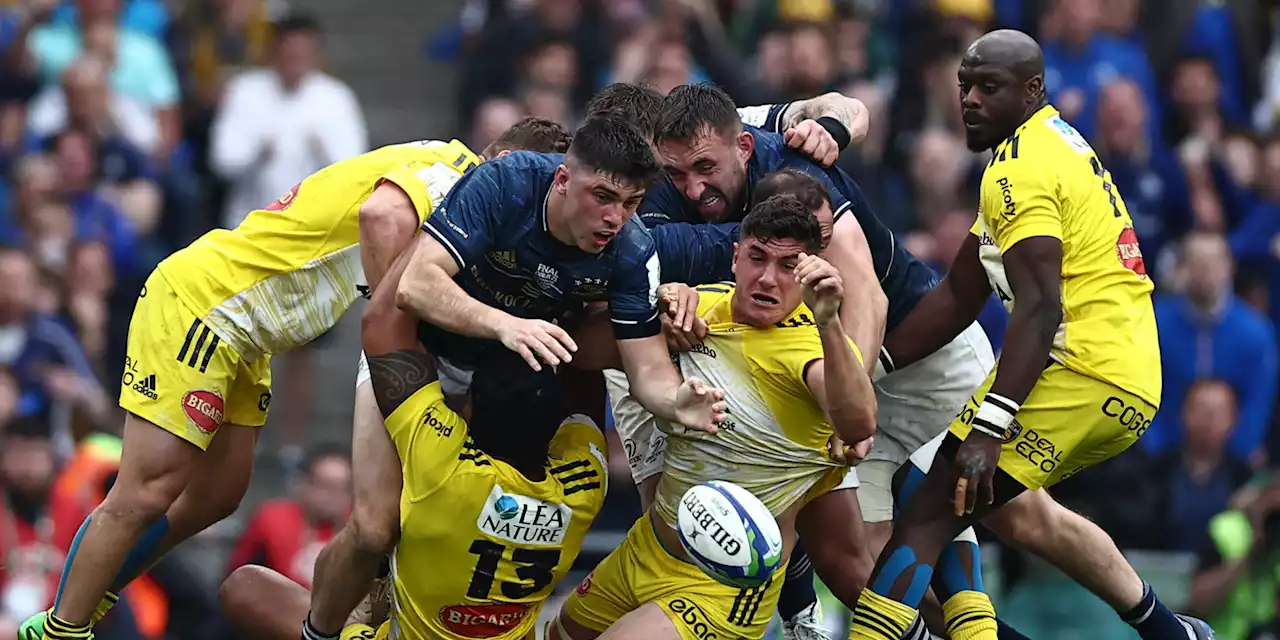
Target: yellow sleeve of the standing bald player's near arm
{"points": [[1020, 202]]}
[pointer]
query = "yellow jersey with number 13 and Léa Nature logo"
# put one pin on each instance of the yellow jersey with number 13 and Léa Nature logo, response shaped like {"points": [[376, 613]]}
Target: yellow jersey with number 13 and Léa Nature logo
{"points": [[482, 546]]}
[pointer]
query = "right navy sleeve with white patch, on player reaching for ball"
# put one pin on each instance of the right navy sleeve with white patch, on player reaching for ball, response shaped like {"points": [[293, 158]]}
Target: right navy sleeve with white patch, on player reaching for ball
{"points": [[634, 285]]}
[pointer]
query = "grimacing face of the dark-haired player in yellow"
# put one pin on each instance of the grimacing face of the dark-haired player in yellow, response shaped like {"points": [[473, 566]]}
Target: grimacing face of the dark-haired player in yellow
{"points": [[767, 291]]}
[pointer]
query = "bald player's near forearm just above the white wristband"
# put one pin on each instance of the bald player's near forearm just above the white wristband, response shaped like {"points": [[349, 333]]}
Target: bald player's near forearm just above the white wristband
{"points": [[1028, 341]]}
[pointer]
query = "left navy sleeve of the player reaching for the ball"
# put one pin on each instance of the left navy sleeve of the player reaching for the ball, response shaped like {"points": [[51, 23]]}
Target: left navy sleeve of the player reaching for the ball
{"points": [[469, 217]]}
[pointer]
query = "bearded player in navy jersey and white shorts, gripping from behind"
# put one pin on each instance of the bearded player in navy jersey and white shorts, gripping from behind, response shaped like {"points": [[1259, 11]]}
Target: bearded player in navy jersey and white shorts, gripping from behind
{"points": [[714, 167]]}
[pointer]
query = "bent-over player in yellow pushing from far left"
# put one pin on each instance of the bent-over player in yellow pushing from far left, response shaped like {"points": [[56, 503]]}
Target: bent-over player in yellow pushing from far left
{"points": [[200, 342]]}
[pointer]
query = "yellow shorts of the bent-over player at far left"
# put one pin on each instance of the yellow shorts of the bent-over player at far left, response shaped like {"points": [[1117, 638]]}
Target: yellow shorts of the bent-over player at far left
{"points": [[182, 378]]}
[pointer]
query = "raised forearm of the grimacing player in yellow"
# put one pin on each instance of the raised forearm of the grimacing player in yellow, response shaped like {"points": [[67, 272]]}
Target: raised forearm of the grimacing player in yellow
{"points": [[851, 397]]}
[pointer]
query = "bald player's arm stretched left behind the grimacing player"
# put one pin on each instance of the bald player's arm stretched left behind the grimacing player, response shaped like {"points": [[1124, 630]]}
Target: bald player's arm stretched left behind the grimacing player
{"points": [[938, 319]]}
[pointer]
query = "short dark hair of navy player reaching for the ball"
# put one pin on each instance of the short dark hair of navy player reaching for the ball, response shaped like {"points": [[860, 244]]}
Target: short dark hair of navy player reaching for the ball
{"points": [[612, 147]]}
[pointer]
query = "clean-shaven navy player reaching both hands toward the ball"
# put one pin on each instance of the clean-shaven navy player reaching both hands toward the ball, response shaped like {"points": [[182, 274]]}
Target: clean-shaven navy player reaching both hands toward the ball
{"points": [[529, 239]]}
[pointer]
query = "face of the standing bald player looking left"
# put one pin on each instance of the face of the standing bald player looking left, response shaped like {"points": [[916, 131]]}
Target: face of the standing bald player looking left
{"points": [[991, 100]]}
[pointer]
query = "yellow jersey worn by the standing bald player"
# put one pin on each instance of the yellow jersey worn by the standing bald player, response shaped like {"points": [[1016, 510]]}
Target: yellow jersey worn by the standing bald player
{"points": [[1048, 181]]}
